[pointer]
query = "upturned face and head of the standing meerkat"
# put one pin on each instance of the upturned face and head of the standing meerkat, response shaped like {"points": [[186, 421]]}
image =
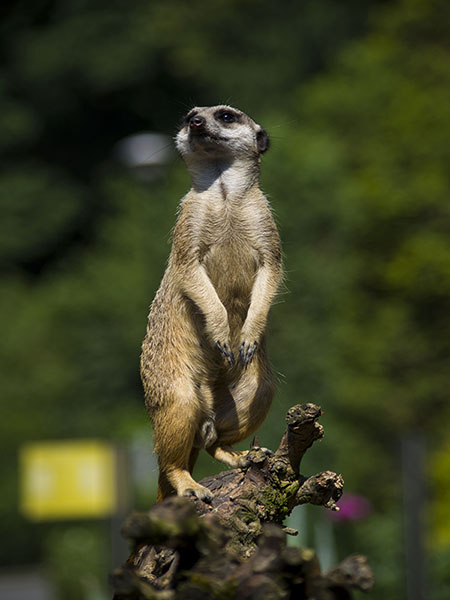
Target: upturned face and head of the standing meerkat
{"points": [[220, 131]]}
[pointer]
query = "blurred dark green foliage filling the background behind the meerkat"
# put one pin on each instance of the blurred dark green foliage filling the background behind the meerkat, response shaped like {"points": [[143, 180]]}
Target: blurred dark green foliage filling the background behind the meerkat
{"points": [[355, 97]]}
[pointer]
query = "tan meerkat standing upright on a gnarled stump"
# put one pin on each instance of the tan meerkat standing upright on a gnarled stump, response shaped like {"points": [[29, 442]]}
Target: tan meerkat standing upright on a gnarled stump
{"points": [[204, 367]]}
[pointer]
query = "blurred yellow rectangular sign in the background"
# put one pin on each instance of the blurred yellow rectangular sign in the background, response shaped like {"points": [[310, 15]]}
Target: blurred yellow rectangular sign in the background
{"points": [[69, 479]]}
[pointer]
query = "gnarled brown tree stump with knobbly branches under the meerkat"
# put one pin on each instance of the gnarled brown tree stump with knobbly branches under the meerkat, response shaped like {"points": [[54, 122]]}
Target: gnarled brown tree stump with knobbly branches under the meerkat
{"points": [[235, 546]]}
